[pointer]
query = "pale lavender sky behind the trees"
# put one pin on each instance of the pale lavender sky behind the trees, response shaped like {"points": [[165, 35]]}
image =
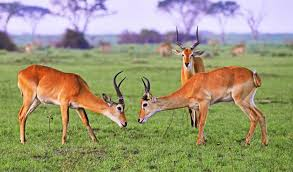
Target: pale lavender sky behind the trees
{"points": [[133, 15]]}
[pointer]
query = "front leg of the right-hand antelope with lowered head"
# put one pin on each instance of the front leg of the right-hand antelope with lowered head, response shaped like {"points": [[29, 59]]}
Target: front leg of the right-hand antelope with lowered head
{"points": [[203, 111]]}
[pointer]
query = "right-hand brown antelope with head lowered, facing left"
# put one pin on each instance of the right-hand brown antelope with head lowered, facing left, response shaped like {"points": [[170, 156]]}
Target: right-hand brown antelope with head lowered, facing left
{"points": [[204, 89]]}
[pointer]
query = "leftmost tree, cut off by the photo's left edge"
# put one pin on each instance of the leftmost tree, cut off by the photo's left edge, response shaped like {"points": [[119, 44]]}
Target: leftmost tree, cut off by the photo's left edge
{"points": [[8, 11]]}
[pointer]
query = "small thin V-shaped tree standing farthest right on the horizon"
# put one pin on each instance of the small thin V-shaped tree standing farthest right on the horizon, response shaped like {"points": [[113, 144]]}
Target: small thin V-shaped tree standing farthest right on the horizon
{"points": [[253, 20]]}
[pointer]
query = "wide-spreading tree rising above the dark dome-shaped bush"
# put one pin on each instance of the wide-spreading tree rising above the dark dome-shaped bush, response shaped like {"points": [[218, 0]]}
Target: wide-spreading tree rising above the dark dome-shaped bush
{"points": [[80, 12]]}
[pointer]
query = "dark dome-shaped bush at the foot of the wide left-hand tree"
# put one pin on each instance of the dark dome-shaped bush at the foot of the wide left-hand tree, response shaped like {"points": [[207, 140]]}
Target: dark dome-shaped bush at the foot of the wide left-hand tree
{"points": [[74, 39]]}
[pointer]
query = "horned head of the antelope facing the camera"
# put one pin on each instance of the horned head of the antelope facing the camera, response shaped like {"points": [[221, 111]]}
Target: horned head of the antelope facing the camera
{"points": [[187, 53]]}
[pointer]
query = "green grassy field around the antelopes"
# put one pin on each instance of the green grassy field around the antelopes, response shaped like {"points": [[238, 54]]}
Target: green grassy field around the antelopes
{"points": [[153, 146]]}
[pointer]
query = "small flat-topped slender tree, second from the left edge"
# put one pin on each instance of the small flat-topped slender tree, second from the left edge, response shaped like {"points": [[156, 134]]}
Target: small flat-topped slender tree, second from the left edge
{"points": [[33, 15]]}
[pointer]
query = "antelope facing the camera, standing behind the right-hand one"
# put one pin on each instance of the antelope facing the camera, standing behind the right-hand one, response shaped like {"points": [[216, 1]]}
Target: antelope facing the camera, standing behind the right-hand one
{"points": [[192, 63]]}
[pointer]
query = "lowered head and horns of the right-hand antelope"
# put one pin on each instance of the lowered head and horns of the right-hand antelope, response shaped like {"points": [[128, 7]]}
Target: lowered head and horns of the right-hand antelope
{"points": [[148, 104]]}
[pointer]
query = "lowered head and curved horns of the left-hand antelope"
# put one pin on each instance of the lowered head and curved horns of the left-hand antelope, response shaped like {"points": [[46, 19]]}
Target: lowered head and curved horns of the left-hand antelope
{"points": [[116, 109]]}
